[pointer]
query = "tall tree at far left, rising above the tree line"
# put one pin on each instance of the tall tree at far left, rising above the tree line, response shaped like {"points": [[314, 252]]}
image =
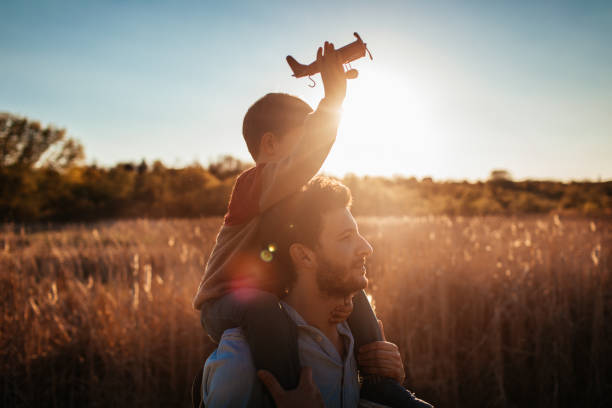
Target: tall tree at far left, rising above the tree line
{"points": [[25, 144]]}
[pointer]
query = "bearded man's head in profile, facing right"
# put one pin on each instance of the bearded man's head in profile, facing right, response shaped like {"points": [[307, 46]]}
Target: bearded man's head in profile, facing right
{"points": [[317, 238]]}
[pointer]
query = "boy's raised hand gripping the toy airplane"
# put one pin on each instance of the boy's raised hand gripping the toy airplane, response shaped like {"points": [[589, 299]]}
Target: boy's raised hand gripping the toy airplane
{"points": [[332, 73]]}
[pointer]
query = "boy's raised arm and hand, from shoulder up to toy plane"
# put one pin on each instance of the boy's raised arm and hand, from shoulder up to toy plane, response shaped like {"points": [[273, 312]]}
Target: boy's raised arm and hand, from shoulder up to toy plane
{"points": [[286, 176]]}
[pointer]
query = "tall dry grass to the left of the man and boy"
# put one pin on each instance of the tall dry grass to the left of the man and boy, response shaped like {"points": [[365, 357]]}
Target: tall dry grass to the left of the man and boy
{"points": [[101, 315]]}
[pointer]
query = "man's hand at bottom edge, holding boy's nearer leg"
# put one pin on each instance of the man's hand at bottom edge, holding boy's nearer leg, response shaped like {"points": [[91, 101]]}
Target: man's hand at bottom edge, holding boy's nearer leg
{"points": [[306, 395]]}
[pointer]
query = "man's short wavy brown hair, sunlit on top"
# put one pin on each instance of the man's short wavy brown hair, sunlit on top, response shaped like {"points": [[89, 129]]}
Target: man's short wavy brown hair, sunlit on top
{"points": [[298, 219]]}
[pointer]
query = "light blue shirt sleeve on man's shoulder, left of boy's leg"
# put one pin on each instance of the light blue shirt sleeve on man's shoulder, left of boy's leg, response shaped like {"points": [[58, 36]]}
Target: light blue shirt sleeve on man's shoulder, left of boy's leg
{"points": [[229, 378]]}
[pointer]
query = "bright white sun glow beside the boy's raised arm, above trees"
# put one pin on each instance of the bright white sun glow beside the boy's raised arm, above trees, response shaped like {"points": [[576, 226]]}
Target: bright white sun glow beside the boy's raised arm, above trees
{"points": [[384, 128]]}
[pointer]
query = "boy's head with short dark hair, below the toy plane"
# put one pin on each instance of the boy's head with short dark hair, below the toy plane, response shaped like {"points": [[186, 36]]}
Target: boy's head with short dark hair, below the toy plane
{"points": [[272, 126]]}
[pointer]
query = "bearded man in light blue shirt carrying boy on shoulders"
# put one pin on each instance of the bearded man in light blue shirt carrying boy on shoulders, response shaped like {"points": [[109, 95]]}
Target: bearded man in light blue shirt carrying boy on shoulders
{"points": [[314, 241]]}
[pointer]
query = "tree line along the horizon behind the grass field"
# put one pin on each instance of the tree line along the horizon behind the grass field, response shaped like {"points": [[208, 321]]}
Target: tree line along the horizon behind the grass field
{"points": [[43, 178]]}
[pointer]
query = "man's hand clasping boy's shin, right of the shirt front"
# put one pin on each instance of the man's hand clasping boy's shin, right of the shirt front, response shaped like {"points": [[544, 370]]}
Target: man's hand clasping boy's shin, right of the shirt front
{"points": [[382, 358]]}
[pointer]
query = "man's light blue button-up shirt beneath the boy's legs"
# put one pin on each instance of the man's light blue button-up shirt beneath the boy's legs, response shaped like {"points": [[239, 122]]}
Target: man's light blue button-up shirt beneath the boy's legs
{"points": [[230, 379]]}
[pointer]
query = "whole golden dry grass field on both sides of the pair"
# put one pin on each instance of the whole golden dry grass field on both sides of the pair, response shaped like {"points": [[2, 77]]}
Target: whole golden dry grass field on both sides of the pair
{"points": [[488, 312]]}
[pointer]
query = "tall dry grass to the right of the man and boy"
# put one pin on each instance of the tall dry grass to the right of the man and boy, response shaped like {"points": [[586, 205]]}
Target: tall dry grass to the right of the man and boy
{"points": [[508, 312]]}
